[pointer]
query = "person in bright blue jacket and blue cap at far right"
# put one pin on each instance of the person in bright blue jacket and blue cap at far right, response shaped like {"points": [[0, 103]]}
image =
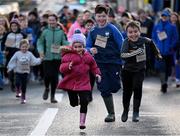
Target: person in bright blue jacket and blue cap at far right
{"points": [[165, 36]]}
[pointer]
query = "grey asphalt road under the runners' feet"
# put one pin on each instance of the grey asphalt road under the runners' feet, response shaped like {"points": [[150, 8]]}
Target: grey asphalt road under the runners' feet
{"points": [[159, 114]]}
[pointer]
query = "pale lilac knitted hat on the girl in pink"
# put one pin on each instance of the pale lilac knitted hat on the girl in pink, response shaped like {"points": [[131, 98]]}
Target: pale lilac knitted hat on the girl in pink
{"points": [[79, 37]]}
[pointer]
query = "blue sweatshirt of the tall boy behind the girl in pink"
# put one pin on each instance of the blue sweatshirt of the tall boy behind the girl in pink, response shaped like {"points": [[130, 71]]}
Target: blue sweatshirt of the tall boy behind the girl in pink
{"points": [[111, 53]]}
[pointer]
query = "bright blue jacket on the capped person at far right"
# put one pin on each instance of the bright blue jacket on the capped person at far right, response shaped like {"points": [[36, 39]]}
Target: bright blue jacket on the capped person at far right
{"points": [[167, 45]]}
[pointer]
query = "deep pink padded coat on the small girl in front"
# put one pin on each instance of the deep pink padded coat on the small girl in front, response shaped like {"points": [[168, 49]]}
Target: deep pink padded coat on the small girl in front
{"points": [[77, 79]]}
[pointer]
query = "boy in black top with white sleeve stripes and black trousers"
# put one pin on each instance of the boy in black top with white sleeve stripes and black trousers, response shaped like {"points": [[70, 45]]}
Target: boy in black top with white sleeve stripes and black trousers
{"points": [[134, 55]]}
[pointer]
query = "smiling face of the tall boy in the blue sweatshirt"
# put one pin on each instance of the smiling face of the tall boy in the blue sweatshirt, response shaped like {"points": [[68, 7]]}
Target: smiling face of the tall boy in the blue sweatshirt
{"points": [[101, 19]]}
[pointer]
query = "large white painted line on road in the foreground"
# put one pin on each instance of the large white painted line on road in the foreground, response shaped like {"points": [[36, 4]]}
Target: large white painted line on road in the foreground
{"points": [[45, 122]]}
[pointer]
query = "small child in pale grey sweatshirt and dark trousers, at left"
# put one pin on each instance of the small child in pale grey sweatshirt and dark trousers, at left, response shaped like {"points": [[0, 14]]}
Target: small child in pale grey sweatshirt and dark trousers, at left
{"points": [[20, 63]]}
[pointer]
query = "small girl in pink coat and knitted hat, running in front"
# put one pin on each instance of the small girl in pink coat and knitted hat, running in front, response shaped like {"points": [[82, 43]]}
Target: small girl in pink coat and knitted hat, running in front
{"points": [[75, 67]]}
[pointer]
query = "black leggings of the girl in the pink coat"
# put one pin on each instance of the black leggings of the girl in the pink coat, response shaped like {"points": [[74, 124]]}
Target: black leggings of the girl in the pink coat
{"points": [[79, 97]]}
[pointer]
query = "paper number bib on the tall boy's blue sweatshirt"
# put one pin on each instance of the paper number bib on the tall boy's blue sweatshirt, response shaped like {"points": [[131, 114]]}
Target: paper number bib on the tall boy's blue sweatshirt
{"points": [[101, 41]]}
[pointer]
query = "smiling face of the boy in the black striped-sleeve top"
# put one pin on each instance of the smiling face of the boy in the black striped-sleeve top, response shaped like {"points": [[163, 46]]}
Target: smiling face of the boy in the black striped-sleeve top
{"points": [[133, 33]]}
